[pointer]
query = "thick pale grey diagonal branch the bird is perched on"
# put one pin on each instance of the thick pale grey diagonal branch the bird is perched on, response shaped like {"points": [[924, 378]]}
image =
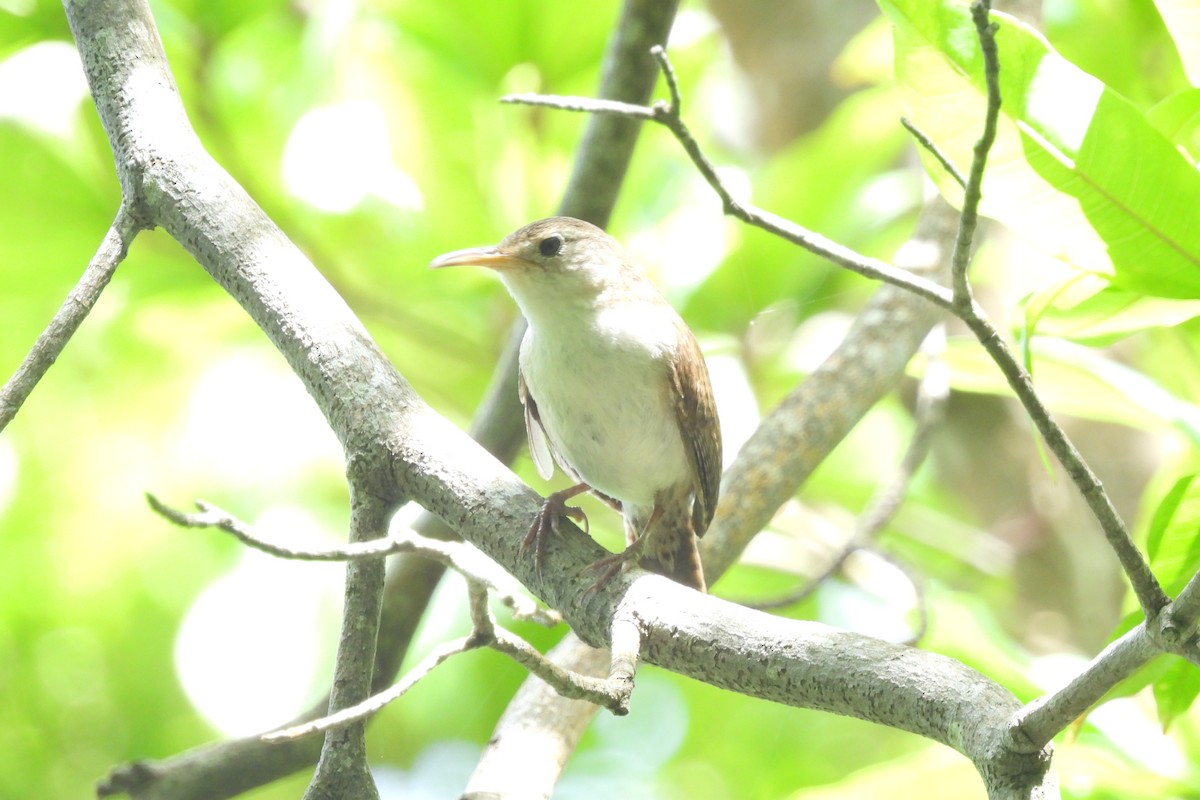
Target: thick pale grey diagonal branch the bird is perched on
{"points": [[399, 448]]}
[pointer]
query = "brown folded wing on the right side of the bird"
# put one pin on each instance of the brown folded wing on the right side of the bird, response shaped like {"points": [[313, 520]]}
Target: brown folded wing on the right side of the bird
{"points": [[697, 414]]}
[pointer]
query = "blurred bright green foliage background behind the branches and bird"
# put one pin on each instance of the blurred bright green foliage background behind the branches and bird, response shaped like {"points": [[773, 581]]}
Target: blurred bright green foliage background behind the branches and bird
{"points": [[371, 134]]}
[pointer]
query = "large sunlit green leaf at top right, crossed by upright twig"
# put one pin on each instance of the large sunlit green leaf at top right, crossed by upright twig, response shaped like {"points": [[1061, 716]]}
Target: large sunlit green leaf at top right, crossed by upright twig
{"points": [[1077, 169]]}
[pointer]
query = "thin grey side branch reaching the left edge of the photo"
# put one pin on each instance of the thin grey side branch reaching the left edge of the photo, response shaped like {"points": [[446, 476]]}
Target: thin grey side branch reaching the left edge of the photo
{"points": [[71, 315]]}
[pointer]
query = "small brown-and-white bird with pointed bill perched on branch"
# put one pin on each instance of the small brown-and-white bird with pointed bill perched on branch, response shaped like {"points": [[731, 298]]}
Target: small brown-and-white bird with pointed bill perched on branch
{"points": [[616, 393]]}
